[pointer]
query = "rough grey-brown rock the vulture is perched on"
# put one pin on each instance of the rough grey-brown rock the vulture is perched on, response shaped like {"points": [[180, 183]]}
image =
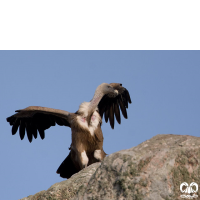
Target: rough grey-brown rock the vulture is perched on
{"points": [[152, 170]]}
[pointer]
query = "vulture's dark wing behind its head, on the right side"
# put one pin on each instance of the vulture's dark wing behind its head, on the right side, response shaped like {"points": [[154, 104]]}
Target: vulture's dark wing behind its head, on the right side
{"points": [[111, 107]]}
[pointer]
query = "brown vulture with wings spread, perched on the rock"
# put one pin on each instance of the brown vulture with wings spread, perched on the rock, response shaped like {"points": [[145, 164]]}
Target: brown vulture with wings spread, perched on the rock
{"points": [[87, 138]]}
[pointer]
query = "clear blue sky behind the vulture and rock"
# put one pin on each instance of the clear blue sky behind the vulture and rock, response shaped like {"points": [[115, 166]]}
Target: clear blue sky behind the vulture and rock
{"points": [[164, 88]]}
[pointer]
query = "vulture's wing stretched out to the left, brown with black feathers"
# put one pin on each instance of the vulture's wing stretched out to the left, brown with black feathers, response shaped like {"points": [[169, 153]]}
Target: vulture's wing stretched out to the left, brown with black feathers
{"points": [[36, 118]]}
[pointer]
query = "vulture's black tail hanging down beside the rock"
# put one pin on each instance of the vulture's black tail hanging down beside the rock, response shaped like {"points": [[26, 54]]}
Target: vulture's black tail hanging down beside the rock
{"points": [[67, 168]]}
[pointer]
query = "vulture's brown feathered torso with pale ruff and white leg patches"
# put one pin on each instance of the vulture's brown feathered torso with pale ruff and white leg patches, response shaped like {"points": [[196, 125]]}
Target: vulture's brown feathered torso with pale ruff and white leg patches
{"points": [[87, 140]]}
